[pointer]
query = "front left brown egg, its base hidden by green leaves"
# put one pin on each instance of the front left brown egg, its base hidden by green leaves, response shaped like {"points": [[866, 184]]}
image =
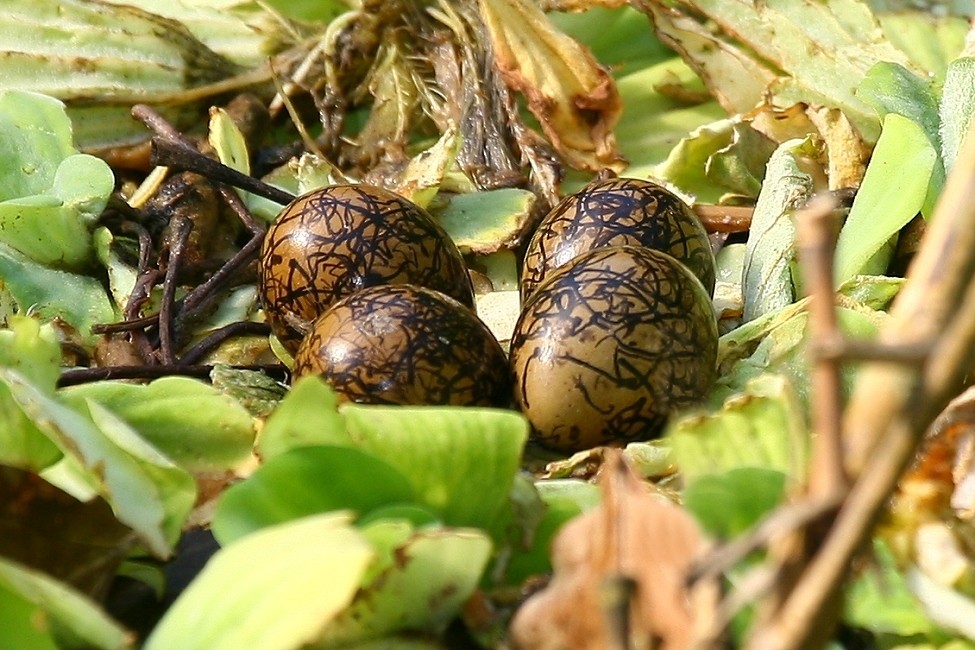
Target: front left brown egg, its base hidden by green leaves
{"points": [[404, 344]]}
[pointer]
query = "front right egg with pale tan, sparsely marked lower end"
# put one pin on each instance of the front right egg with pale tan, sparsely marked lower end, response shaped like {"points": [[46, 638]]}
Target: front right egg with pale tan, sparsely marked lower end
{"points": [[610, 345]]}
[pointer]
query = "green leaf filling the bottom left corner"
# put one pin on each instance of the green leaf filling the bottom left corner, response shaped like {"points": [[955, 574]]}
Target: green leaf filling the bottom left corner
{"points": [[39, 612]]}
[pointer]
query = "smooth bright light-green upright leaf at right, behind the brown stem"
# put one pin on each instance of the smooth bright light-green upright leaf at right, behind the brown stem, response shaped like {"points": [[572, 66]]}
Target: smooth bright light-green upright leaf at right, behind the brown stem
{"points": [[905, 159]]}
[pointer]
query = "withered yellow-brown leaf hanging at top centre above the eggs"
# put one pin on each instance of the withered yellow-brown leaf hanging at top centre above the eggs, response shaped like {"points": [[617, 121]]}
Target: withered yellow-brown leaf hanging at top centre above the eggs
{"points": [[574, 99]]}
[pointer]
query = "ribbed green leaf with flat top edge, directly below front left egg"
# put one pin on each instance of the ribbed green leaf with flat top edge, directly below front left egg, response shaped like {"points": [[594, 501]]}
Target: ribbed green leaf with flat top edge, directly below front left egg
{"points": [[460, 461]]}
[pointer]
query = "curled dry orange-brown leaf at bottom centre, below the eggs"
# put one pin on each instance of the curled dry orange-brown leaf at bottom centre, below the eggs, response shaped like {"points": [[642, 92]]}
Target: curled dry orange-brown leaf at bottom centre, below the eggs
{"points": [[626, 559]]}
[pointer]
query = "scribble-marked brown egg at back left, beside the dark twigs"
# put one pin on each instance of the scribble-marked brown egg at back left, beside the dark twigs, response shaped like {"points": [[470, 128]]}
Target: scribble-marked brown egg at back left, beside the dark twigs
{"points": [[334, 241]]}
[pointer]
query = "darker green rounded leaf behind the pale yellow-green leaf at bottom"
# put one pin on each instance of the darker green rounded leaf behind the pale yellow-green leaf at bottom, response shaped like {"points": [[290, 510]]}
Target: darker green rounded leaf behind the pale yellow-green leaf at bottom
{"points": [[307, 481]]}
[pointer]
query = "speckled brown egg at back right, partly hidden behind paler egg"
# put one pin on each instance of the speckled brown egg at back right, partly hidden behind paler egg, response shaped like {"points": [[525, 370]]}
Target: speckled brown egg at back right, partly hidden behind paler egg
{"points": [[618, 212]]}
